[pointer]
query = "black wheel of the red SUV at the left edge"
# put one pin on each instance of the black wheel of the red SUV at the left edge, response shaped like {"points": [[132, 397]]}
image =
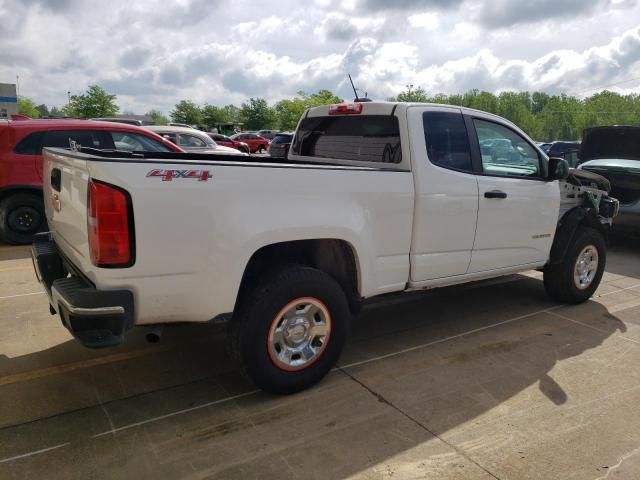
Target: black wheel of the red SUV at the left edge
{"points": [[21, 217]]}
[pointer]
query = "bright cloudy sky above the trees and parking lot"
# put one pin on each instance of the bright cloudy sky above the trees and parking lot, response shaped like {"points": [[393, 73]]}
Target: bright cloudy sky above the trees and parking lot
{"points": [[154, 53]]}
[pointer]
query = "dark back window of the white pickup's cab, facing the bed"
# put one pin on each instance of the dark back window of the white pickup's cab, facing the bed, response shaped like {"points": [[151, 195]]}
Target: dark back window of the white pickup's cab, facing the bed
{"points": [[363, 138]]}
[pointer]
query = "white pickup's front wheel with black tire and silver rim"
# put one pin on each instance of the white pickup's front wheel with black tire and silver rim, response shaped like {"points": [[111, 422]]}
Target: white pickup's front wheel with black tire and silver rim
{"points": [[577, 277]]}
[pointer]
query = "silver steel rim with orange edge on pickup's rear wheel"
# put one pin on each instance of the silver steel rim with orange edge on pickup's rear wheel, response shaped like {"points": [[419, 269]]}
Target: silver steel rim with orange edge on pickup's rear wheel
{"points": [[299, 334]]}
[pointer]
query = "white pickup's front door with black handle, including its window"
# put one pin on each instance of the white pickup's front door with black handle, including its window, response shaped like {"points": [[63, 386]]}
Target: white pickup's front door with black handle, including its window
{"points": [[518, 209]]}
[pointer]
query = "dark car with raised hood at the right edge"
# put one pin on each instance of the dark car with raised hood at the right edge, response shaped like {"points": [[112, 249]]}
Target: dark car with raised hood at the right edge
{"points": [[614, 153]]}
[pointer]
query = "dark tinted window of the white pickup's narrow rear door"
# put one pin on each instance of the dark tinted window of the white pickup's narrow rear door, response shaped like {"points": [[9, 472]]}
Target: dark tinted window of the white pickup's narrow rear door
{"points": [[447, 141]]}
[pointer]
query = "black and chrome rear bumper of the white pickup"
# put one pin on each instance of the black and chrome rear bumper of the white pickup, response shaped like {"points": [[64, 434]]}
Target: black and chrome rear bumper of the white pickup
{"points": [[96, 318]]}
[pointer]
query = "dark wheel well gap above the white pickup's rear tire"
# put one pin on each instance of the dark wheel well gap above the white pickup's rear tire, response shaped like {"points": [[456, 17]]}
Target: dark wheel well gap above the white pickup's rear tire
{"points": [[336, 257]]}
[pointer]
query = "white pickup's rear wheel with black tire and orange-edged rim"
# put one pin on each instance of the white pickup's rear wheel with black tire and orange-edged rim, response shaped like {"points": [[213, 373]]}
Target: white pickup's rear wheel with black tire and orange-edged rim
{"points": [[290, 329]]}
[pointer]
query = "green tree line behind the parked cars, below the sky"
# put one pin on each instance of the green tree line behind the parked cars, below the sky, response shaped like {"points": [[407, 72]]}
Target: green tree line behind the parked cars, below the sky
{"points": [[543, 116]]}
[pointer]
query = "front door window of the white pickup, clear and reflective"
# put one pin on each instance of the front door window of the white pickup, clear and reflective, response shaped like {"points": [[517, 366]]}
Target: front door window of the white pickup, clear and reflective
{"points": [[504, 152]]}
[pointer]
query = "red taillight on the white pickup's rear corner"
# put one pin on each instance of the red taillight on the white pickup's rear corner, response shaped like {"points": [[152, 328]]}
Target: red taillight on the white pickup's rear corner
{"points": [[109, 226]]}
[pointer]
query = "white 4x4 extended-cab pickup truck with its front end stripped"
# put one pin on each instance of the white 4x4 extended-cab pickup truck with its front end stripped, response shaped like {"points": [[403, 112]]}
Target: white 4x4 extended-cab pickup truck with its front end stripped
{"points": [[374, 198]]}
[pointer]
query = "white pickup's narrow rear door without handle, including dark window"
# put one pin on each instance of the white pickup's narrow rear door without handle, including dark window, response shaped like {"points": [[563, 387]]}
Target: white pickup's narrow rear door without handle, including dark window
{"points": [[446, 193]]}
